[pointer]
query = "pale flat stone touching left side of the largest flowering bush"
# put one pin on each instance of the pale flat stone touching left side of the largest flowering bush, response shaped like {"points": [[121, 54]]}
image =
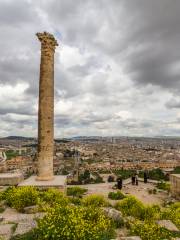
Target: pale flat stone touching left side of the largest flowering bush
{"points": [[24, 227]]}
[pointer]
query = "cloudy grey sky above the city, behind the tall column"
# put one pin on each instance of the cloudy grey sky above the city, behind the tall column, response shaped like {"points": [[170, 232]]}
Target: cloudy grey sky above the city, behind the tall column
{"points": [[117, 67]]}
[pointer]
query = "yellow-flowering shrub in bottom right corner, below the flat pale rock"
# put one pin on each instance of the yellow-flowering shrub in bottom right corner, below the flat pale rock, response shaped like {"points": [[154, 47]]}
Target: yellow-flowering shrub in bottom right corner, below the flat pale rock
{"points": [[150, 231]]}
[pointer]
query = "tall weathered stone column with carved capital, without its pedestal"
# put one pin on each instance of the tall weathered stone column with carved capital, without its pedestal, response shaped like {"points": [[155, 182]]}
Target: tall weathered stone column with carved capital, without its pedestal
{"points": [[46, 107]]}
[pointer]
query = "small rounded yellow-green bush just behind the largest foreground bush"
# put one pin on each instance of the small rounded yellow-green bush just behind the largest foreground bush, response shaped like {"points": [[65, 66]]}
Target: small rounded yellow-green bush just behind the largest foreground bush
{"points": [[95, 200]]}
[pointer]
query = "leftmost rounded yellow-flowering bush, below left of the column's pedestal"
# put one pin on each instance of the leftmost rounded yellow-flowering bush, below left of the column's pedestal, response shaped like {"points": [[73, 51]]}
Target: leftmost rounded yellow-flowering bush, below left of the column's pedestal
{"points": [[21, 197]]}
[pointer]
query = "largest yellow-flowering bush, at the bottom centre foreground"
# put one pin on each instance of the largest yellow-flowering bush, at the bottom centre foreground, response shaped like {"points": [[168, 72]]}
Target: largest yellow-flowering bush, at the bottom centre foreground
{"points": [[72, 223]]}
